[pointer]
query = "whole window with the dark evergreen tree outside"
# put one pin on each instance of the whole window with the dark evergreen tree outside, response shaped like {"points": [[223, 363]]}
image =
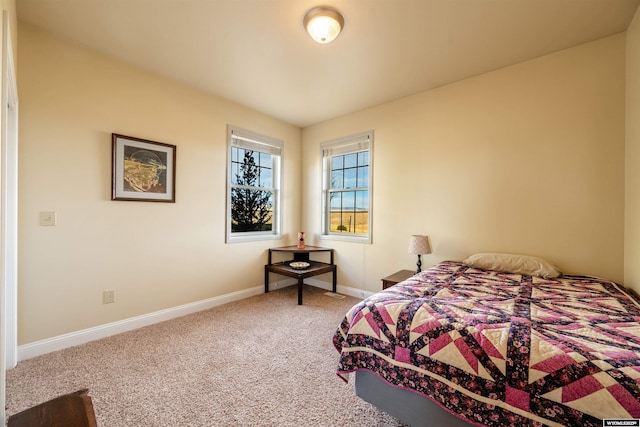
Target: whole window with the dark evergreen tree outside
{"points": [[253, 186]]}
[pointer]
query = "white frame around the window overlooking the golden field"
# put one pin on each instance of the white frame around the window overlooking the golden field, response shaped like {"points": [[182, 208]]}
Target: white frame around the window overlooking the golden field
{"points": [[357, 143]]}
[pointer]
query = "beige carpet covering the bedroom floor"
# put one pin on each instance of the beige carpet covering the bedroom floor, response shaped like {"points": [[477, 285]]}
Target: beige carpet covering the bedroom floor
{"points": [[261, 361]]}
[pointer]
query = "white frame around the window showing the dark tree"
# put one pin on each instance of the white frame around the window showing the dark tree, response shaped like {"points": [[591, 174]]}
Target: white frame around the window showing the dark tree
{"points": [[241, 138]]}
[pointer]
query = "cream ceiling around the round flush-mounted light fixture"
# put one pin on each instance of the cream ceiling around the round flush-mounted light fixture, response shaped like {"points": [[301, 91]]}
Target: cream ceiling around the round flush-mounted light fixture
{"points": [[256, 52]]}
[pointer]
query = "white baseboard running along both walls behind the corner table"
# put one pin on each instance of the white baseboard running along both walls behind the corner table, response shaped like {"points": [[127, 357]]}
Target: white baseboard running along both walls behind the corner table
{"points": [[27, 351]]}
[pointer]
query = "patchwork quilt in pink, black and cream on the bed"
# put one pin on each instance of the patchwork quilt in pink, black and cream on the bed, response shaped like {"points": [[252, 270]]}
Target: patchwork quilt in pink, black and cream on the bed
{"points": [[502, 349]]}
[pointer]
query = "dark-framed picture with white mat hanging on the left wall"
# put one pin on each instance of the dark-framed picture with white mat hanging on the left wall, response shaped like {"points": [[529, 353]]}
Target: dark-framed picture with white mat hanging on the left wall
{"points": [[142, 170]]}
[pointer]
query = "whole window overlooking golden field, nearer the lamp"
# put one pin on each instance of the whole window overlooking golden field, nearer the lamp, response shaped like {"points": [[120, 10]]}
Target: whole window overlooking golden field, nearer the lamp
{"points": [[346, 193]]}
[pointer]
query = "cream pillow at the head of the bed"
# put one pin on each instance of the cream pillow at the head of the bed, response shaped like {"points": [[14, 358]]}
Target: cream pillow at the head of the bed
{"points": [[517, 264]]}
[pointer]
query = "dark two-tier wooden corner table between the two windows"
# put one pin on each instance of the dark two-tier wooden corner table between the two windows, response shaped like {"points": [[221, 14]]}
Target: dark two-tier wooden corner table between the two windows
{"points": [[302, 255]]}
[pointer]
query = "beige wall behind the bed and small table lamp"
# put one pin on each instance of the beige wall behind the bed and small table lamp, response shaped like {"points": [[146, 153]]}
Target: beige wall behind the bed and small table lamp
{"points": [[527, 159]]}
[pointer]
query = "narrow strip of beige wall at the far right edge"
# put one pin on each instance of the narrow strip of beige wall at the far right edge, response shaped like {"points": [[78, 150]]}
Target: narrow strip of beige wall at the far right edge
{"points": [[632, 157]]}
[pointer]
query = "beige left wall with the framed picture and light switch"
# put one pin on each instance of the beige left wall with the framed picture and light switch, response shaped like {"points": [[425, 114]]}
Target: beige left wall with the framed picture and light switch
{"points": [[155, 255]]}
